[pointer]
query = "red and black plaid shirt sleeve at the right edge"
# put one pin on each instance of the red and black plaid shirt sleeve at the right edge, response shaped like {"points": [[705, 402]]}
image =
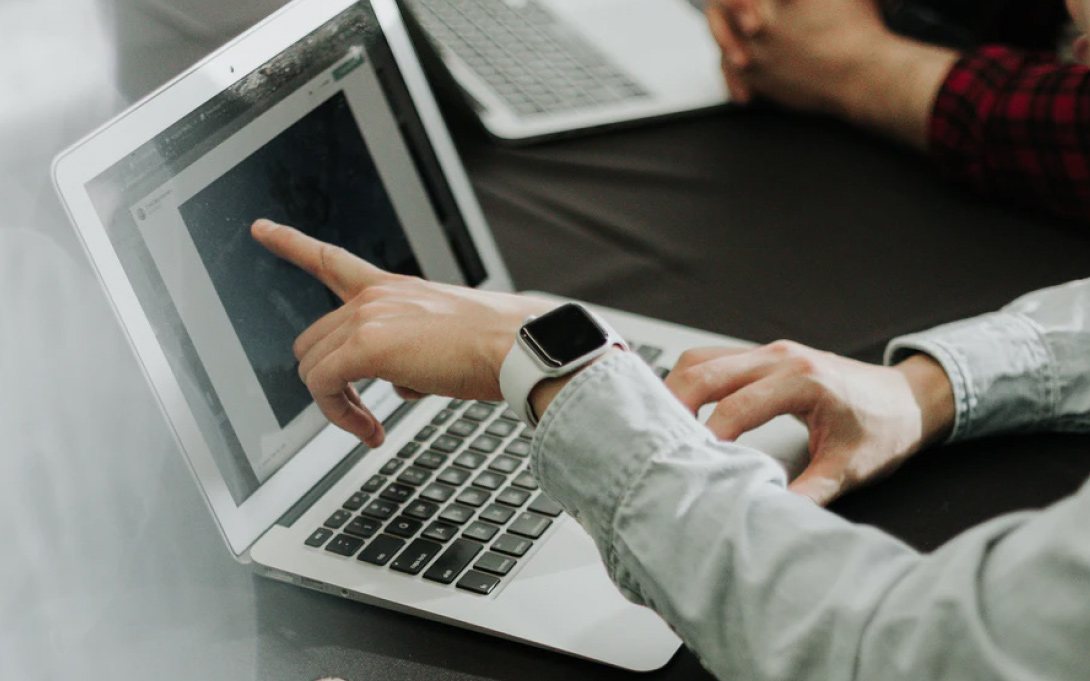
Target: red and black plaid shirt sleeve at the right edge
{"points": [[1018, 127]]}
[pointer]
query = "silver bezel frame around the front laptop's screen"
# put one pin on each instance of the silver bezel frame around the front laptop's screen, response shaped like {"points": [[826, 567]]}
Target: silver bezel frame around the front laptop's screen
{"points": [[243, 525]]}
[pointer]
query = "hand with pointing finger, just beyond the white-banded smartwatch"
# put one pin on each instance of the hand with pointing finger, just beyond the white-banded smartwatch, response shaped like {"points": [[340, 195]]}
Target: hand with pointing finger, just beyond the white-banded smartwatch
{"points": [[427, 338]]}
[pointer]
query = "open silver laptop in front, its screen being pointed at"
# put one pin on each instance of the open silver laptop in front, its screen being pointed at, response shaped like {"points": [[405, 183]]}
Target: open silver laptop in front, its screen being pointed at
{"points": [[321, 118]]}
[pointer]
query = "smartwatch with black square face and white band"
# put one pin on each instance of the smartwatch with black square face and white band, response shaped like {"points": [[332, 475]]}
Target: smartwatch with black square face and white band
{"points": [[555, 345]]}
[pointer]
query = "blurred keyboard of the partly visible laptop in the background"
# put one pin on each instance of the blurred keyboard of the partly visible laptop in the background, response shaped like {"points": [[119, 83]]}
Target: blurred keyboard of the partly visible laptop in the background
{"points": [[534, 62]]}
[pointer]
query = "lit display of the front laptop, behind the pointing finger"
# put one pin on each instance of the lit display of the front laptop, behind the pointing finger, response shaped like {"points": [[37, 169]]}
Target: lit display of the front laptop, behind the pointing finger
{"points": [[323, 138]]}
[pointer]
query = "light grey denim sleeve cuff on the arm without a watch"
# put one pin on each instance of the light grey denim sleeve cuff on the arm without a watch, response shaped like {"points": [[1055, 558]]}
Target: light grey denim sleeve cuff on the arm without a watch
{"points": [[1026, 368]]}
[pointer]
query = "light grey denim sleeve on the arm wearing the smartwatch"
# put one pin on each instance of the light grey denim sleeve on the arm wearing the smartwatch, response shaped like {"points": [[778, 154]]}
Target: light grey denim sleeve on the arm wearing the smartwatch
{"points": [[764, 585]]}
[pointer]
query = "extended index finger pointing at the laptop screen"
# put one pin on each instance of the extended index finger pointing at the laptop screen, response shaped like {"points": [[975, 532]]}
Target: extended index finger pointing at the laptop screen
{"points": [[345, 274]]}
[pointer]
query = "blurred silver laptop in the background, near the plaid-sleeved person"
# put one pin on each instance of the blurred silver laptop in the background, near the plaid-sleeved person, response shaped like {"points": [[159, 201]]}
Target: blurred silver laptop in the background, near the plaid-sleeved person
{"points": [[542, 68]]}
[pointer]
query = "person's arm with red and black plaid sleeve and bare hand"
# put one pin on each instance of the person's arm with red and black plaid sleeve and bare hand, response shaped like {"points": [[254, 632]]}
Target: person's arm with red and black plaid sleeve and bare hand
{"points": [[1011, 125]]}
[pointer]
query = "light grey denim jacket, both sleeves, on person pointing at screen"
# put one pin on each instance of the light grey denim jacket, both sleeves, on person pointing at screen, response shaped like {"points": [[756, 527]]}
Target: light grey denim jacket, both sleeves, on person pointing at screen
{"points": [[764, 585]]}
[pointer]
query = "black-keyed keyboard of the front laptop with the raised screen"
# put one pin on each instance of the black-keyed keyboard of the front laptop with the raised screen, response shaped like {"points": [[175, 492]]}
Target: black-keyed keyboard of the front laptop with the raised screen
{"points": [[458, 505]]}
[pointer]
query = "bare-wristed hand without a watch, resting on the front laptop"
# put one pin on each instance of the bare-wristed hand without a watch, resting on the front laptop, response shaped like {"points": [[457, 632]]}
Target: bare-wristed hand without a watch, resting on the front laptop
{"points": [[864, 420]]}
